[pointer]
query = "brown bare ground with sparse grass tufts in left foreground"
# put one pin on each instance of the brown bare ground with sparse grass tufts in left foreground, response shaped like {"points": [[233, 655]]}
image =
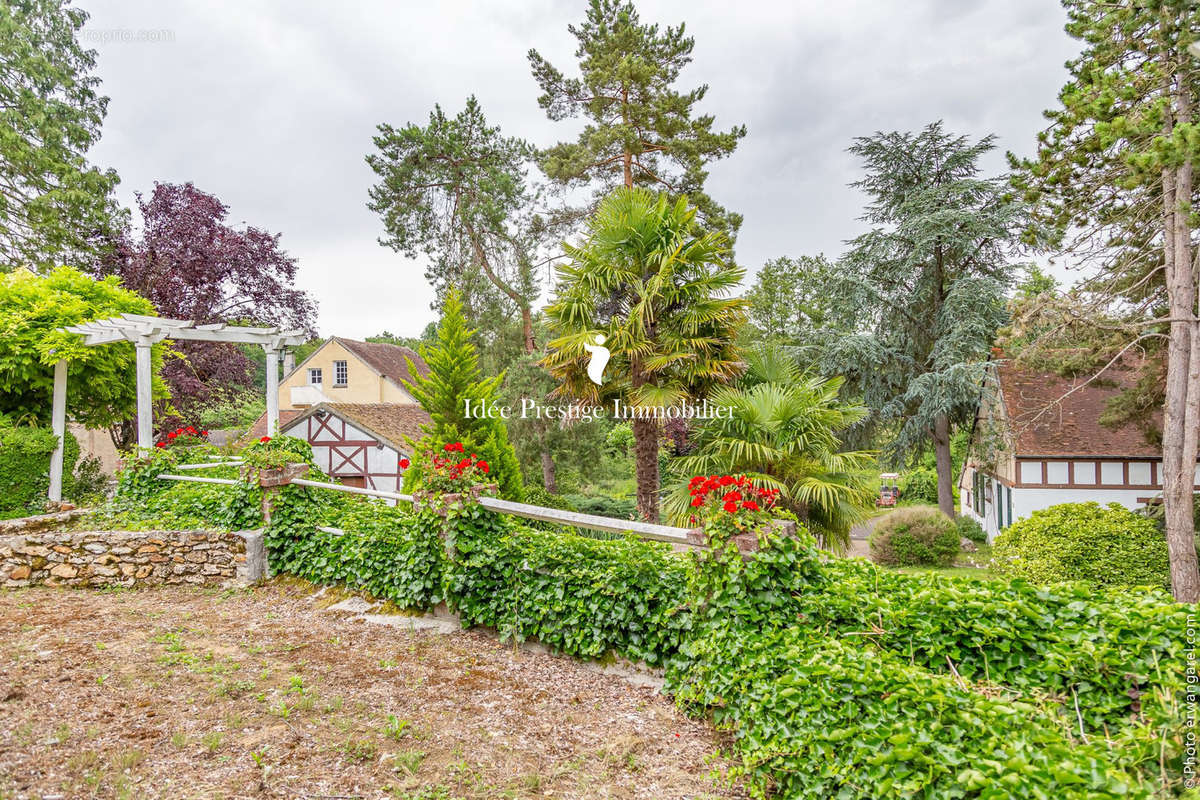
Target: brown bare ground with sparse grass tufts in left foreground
{"points": [[184, 693]]}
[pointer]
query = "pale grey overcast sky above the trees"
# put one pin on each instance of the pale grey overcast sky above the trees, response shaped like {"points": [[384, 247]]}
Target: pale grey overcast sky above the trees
{"points": [[272, 107]]}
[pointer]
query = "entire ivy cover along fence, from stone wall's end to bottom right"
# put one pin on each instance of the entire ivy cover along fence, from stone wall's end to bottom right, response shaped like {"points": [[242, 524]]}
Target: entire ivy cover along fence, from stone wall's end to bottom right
{"points": [[836, 677]]}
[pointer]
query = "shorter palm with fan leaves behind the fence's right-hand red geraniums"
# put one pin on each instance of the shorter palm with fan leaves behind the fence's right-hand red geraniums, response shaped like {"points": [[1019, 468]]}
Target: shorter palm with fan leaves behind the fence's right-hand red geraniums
{"points": [[782, 434]]}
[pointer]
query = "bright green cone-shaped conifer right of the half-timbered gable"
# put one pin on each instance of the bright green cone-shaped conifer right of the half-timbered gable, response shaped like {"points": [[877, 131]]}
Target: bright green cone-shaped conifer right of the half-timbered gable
{"points": [[455, 380]]}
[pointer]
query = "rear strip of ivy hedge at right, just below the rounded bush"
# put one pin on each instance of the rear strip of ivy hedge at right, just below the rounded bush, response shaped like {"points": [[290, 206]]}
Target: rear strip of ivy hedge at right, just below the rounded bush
{"points": [[1102, 648]]}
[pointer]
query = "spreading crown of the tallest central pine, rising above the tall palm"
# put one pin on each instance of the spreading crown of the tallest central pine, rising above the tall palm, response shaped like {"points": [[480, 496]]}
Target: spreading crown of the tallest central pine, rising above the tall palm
{"points": [[641, 131]]}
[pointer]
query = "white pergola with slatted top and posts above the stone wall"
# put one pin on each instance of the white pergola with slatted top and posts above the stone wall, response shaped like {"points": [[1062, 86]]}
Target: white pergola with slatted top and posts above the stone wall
{"points": [[145, 333]]}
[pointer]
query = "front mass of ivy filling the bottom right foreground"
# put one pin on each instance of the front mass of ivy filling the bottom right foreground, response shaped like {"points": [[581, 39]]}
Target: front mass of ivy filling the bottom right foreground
{"points": [[824, 718]]}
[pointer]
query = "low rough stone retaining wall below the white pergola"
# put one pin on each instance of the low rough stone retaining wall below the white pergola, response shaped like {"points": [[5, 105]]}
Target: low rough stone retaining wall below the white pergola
{"points": [[124, 558]]}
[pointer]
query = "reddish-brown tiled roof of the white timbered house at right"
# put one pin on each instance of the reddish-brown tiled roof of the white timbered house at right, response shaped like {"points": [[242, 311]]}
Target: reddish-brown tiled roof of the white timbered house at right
{"points": [[1052, 416]]}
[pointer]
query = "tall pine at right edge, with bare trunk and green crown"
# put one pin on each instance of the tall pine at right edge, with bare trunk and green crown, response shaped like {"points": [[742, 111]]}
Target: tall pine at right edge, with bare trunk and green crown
{"points": [[1114, 182]]}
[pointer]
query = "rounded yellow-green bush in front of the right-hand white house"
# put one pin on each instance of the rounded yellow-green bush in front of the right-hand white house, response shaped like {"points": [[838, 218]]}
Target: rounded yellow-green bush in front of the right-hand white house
{"points": [[1084, 542]]}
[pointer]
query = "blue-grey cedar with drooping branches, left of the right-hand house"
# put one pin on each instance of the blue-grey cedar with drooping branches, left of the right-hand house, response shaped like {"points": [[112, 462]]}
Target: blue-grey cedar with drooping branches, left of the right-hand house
{"points": [[917, 302]]}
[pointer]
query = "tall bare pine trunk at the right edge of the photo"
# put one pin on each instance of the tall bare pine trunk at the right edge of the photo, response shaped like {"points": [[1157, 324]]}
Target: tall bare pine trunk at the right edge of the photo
{"points": [[1181, 423]]}
